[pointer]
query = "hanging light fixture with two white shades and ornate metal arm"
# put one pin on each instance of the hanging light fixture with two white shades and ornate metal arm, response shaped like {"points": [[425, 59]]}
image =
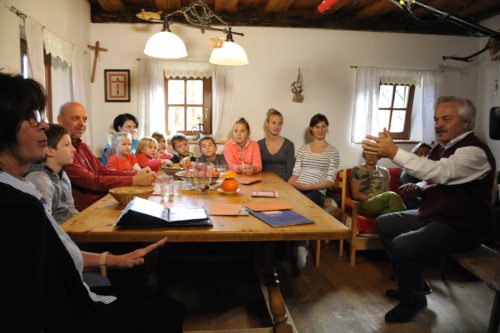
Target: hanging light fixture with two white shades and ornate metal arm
{"points": [[168, 45]]}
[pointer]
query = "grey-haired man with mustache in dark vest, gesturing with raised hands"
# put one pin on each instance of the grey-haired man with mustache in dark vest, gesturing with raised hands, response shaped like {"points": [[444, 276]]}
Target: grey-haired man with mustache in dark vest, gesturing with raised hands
{"points": [[456, 208]]}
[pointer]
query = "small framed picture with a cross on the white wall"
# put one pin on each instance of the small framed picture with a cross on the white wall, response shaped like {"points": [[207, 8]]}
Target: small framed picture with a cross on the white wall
{"points": [[117, 85]]}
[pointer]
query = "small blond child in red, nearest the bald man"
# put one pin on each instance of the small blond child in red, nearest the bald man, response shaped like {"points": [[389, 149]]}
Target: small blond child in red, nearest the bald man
{"points": [[123, 159]]}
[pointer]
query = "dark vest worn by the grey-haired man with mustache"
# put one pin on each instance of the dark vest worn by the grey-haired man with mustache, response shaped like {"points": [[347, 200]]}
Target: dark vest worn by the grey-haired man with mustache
{"points": [[466, 206]]}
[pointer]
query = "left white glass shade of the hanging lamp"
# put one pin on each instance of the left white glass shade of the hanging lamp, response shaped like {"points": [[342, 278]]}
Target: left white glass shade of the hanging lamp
{"points": [[166, 45]]}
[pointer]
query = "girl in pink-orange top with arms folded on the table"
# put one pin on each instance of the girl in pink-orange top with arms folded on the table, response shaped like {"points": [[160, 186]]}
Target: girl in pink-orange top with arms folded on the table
{"points": [[241, 153]]}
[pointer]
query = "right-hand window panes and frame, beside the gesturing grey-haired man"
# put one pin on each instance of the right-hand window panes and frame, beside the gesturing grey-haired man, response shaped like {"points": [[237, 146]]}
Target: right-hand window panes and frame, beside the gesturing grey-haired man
{"points": [[394, 109]]}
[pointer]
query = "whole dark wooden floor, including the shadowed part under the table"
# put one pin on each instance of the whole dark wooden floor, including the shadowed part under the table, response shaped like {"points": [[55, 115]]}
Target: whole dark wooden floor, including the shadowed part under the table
{"points": [[336, 297]]}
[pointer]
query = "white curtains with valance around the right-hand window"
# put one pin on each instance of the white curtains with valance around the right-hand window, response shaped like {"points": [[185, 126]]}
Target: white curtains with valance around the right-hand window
{"points": [[365, 107]]}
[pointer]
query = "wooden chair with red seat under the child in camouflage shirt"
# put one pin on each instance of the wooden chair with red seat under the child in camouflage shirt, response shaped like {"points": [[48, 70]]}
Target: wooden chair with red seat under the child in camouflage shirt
{"points": [[366, 238]]}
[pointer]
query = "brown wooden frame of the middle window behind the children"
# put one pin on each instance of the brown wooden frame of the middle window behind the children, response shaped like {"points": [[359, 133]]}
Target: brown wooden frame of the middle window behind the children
{"points": [[206, 106]]}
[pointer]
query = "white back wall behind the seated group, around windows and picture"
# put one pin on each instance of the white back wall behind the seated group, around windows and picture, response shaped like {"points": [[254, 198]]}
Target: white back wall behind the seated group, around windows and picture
{"points": [[275, 54]]}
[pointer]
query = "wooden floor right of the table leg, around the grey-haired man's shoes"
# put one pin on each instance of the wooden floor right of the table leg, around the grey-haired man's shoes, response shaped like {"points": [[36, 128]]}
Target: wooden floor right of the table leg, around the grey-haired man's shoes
{"points": [[338, 297]]}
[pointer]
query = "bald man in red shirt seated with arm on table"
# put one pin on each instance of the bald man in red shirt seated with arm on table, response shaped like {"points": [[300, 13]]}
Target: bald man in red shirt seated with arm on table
{"points": [[89, 178]]}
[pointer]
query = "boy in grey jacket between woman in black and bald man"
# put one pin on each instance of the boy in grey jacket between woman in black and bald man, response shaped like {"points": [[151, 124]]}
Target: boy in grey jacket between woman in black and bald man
{"points": [[50, 178]]}
